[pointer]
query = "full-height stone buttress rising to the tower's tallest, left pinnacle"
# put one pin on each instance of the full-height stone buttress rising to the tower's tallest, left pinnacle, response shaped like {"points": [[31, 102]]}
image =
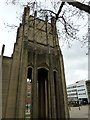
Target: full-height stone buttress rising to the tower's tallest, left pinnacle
{"points": [[22, 78]]}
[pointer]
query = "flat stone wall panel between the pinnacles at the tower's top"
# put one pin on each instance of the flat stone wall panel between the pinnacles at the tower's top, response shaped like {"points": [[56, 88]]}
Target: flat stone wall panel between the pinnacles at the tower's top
{"points": [[41, 29]]}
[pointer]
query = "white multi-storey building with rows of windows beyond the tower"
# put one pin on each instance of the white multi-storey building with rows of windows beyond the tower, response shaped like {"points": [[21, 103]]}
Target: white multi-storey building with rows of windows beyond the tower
{"points": [[79, 91]]}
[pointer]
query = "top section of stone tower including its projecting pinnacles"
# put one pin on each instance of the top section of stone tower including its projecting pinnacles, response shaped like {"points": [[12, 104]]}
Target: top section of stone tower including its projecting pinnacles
{"points": [[37, 30]]}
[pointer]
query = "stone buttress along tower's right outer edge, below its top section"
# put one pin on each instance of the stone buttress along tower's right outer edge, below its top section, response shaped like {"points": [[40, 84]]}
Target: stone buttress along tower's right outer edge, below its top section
{"points": [[62, 85]]}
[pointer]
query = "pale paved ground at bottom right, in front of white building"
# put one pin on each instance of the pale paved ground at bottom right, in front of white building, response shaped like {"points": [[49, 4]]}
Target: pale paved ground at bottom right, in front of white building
{"points": [[82, 112]]}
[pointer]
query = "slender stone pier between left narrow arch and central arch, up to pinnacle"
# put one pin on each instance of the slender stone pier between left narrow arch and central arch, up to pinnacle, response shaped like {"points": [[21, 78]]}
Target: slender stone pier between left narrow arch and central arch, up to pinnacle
{"points": [[34, 111]]}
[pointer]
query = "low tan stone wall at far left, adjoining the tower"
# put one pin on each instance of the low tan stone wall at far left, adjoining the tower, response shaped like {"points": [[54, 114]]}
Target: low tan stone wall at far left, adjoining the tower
{"points": [[6, 70]]}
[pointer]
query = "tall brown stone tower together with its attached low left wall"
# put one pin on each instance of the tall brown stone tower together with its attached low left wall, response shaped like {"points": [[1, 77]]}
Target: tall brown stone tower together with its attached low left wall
{"points": [[36, 56]]}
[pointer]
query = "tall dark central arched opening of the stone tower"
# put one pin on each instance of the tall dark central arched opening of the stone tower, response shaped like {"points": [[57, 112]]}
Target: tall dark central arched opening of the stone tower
{"points": [[42, 93]]}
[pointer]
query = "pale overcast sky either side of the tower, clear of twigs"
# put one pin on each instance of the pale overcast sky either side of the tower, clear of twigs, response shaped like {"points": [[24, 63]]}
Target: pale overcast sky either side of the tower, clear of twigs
{"points": [[75, 58]]}
